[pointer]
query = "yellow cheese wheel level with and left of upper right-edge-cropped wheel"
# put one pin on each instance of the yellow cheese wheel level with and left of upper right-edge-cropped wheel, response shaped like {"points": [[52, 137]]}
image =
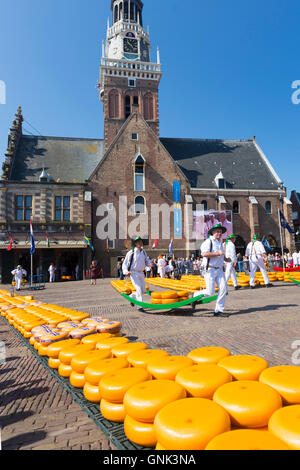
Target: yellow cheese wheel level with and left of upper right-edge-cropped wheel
{"points": [[202, 380]]}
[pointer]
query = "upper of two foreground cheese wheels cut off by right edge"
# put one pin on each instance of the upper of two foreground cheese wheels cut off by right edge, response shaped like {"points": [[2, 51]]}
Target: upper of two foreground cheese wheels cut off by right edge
{"points": [[284, 379]]}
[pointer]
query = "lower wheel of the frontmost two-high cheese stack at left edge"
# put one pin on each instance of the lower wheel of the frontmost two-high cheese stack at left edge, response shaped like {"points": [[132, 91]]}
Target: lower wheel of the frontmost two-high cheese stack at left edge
{"points": [[140, 433]]}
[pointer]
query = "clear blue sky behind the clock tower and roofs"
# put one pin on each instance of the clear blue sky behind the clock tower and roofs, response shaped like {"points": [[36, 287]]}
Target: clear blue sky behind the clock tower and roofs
{"points": [[228, 70]]}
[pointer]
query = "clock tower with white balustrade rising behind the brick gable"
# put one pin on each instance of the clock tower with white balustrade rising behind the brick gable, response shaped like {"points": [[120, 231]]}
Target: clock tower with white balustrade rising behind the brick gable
{"points": [[129, 81]]}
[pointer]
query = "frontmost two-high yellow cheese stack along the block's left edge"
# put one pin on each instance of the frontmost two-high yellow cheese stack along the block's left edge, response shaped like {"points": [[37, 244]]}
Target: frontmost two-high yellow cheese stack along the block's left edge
{"points": [[142, 403]]}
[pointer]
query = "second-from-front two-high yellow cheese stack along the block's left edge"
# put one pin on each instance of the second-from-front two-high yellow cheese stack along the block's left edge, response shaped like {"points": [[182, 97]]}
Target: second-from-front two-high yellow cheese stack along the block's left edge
{"points": [[112, 389]]}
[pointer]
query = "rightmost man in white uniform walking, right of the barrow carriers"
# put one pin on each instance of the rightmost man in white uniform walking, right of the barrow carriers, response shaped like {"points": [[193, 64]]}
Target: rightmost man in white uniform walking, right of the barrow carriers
{"points": [[257, 255]]}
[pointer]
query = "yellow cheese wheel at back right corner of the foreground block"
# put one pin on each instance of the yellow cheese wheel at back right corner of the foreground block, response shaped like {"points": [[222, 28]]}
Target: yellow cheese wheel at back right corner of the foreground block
{"points": [[244, 367]]}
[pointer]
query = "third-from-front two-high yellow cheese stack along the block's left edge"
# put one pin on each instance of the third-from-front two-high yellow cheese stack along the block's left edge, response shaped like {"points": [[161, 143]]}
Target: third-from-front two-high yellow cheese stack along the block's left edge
{"points": [[95, 371]]}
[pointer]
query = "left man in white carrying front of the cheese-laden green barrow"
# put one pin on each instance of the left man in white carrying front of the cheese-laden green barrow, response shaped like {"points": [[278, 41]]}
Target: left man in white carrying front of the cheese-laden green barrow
{"points": [[134, 266]]}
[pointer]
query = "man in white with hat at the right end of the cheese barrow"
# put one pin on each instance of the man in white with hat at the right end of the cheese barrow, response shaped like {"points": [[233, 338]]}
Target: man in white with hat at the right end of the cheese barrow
{"points": [[214, 255]]}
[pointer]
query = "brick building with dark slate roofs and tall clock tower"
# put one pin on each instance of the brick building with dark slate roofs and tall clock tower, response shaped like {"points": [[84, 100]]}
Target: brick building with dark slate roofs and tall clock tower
{"points": [[116, 187]]}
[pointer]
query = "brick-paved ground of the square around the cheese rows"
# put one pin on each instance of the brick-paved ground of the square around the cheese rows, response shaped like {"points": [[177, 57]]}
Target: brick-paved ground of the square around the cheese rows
{"points": [[37, 413]]}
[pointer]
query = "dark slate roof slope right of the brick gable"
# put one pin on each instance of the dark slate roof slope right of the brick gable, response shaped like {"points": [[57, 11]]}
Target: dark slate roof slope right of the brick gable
{"points": [[242, 163]]}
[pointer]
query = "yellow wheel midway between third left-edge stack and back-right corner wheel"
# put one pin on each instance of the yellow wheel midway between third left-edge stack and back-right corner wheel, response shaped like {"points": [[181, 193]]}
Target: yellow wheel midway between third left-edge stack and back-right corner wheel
{"points": [[167, 367]]}
